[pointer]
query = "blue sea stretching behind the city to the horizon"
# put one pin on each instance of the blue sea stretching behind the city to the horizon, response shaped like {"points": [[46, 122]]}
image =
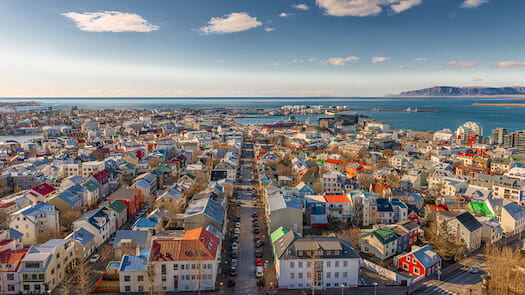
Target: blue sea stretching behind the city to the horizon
{"points": [[453, 111]]}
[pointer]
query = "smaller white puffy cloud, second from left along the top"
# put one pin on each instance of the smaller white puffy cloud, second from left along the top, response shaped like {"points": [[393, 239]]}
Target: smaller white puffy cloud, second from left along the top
{"points": [[231, 23]]}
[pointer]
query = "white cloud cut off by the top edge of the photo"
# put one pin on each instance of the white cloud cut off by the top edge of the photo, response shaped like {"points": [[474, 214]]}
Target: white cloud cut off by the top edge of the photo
{"points": [[364, 7]]}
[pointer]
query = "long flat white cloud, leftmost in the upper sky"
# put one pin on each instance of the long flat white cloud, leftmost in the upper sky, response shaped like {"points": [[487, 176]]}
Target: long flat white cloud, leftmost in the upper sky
{"points": [[110, 21]]}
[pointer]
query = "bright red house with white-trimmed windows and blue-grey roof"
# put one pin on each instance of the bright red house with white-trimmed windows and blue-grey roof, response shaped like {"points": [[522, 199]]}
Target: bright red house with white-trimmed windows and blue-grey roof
{"points": [[422, 261]]}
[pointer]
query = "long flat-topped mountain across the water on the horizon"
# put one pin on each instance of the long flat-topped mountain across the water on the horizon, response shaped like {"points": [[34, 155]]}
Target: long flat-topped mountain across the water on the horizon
{"points": [[442, 91]]}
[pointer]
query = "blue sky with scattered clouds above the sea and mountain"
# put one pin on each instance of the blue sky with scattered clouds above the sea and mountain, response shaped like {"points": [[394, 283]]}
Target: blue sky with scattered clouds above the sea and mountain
{"points": [[260, 48]]}
